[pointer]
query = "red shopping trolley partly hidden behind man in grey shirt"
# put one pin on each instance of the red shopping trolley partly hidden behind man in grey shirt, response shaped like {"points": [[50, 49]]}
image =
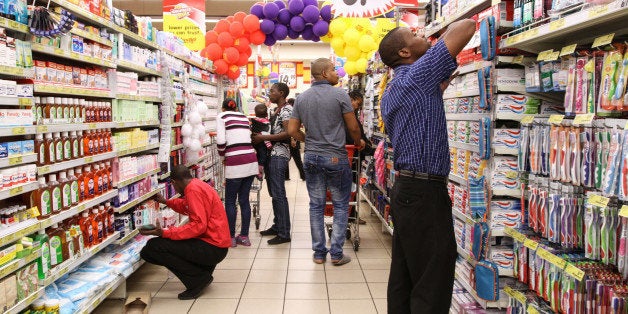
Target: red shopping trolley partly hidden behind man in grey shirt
{"points": [[353, 226]]}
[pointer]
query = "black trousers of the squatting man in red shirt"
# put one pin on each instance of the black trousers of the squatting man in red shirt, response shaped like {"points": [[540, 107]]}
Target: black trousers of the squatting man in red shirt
{"points": [[193, 261]]}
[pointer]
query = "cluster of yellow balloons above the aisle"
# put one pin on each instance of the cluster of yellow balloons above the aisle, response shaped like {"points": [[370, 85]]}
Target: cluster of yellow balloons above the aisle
{"points": [[352, 38]]}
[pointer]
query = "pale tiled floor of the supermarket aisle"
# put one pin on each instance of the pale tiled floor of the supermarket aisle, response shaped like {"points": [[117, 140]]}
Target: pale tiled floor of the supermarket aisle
{"points": [[283, 278]]}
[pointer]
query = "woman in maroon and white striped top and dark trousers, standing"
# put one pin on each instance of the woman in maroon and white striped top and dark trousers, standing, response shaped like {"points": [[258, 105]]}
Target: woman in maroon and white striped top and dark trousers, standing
{"points": [[233, 139]]}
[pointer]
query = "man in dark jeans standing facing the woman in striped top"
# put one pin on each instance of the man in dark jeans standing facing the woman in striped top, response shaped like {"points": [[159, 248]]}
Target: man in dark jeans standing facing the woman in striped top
{"points": [[278, 163]]}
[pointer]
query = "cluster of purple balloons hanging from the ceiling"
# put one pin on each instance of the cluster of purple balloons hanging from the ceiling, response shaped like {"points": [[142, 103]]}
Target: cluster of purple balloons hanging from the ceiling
{"points": [[297, 18]]}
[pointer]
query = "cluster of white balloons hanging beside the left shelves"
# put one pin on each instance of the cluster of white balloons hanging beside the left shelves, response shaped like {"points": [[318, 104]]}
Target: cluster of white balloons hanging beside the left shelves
{"points": [[194, 132]]}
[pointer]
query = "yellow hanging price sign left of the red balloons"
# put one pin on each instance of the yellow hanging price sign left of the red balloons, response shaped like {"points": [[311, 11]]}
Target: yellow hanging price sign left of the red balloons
{"points": [[186, 19]]}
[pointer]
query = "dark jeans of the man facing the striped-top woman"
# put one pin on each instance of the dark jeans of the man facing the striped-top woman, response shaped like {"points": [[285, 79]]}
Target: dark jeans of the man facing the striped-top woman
{"points": [[276, 177]]}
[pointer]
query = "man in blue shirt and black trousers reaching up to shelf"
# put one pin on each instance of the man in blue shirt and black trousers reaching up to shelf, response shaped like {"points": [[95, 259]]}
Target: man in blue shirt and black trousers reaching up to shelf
{"points": [[424, 247]]}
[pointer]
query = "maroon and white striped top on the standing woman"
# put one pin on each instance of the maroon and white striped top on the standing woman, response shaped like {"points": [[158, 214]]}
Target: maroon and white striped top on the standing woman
{"points": [[233, 138]]}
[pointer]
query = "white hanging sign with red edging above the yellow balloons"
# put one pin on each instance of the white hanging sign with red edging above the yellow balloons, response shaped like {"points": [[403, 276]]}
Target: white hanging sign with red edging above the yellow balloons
{"points": [[361, 8]]}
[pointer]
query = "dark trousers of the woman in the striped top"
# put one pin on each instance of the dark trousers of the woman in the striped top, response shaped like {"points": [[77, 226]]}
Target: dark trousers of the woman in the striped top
{"points": [[238, 189]]}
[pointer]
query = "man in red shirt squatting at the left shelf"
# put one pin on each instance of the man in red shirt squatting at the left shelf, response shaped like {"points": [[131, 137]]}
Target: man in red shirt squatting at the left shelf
{"points": [[191, 252]]}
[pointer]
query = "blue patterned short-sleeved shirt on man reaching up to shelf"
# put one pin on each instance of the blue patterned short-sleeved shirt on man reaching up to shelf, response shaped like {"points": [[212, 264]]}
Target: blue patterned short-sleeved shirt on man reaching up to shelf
{"points": [[413, 111]]}
